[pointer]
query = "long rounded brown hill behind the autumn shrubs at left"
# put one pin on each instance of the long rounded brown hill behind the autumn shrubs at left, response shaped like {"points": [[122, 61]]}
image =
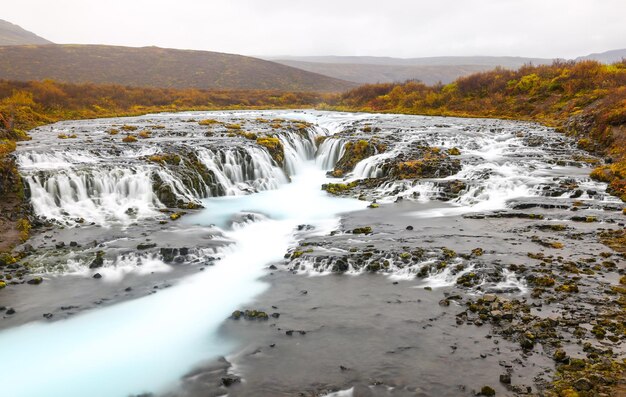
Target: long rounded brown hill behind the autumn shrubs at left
{"points": [[157, 67]]}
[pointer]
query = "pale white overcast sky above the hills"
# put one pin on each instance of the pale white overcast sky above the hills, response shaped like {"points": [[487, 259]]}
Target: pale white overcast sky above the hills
{"points": [[399, 28]]}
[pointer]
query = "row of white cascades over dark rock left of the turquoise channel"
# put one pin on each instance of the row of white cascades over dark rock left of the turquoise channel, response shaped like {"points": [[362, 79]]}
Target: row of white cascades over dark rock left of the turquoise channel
{"points": [[71, 186]]}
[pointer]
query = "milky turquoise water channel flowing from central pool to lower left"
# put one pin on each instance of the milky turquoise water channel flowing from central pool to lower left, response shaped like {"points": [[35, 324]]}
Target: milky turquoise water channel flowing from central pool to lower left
{"points": [[147, 344]]}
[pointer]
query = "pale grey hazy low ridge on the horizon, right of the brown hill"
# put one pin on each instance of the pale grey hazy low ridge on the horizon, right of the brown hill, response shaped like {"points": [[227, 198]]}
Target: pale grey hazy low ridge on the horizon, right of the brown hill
{"points": [[383, 69]]}
